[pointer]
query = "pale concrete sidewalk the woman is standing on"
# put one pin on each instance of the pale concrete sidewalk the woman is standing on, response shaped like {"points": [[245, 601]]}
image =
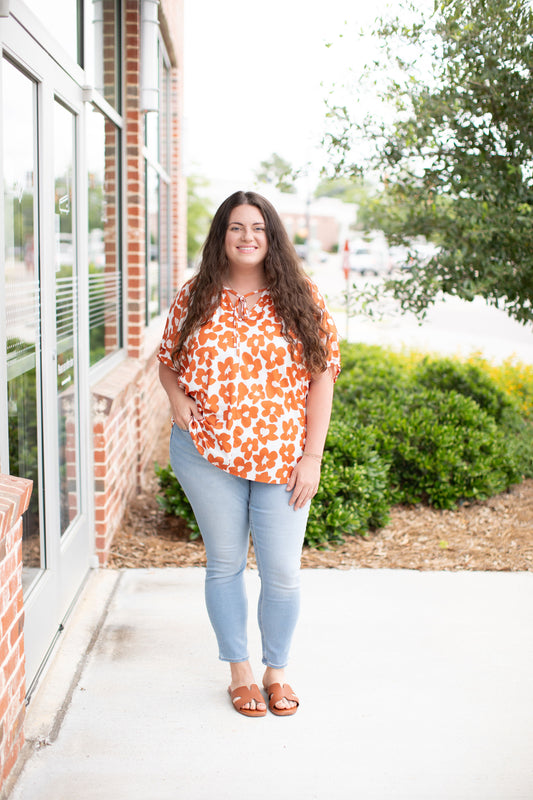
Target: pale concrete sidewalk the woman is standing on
{"points": [[413, 685]]}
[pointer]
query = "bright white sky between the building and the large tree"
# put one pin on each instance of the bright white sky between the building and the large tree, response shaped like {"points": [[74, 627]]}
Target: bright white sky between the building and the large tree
{"points": [[253, 75]]}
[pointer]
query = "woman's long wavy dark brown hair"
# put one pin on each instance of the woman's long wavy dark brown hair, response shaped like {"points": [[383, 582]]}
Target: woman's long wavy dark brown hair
{"points": [[288, 285]]}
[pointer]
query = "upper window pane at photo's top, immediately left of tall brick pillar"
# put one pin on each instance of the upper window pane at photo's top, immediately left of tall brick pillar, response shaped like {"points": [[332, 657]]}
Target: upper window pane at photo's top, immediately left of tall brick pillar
{"points": [[102, 48]]}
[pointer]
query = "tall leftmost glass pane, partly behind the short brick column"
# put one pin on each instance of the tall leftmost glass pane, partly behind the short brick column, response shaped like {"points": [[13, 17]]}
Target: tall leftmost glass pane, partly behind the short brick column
{"points": [[22, 295]]}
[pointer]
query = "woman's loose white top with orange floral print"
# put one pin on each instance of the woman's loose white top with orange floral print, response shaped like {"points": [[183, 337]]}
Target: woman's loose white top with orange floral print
{"points": [[252, 393]]}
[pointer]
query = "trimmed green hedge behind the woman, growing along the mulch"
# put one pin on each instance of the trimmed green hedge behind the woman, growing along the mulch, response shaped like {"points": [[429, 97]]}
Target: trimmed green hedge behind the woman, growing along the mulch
{"points": [[408, 428]]}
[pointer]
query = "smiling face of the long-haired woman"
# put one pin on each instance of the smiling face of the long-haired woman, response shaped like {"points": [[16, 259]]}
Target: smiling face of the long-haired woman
{"points": [[246, 240]]}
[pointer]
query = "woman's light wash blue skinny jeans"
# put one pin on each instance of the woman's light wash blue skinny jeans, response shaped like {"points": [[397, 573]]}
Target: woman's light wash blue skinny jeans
{"points": [[228, 509]]}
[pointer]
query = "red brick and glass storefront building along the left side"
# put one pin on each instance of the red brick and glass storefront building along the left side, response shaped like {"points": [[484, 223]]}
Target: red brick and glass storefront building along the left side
{"points": [[93, 247]]}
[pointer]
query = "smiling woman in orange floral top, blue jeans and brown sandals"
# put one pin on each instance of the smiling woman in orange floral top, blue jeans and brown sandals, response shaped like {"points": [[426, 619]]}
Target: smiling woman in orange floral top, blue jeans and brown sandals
{"points": [[248, 359]]}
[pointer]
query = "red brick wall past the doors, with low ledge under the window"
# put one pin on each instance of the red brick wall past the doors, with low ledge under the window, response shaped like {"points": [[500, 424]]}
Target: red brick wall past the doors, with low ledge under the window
{"points": [[129, 405]]}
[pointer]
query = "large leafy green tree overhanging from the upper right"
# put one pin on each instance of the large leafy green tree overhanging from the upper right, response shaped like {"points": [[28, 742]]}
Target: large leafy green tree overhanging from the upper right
{"points": [[456, 161]]}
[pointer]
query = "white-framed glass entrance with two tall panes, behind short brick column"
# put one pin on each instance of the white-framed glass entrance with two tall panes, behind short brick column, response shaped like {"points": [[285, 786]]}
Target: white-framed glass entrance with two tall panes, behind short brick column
{"points": [[46, 348]]}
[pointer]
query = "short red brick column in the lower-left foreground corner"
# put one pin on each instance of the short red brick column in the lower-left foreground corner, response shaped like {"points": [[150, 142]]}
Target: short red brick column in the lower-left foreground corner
{"points": [[14, 500]]}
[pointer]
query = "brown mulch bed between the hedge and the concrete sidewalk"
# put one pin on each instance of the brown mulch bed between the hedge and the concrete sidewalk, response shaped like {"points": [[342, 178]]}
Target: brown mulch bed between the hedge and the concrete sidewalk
{"points": [[493, 535]]}
